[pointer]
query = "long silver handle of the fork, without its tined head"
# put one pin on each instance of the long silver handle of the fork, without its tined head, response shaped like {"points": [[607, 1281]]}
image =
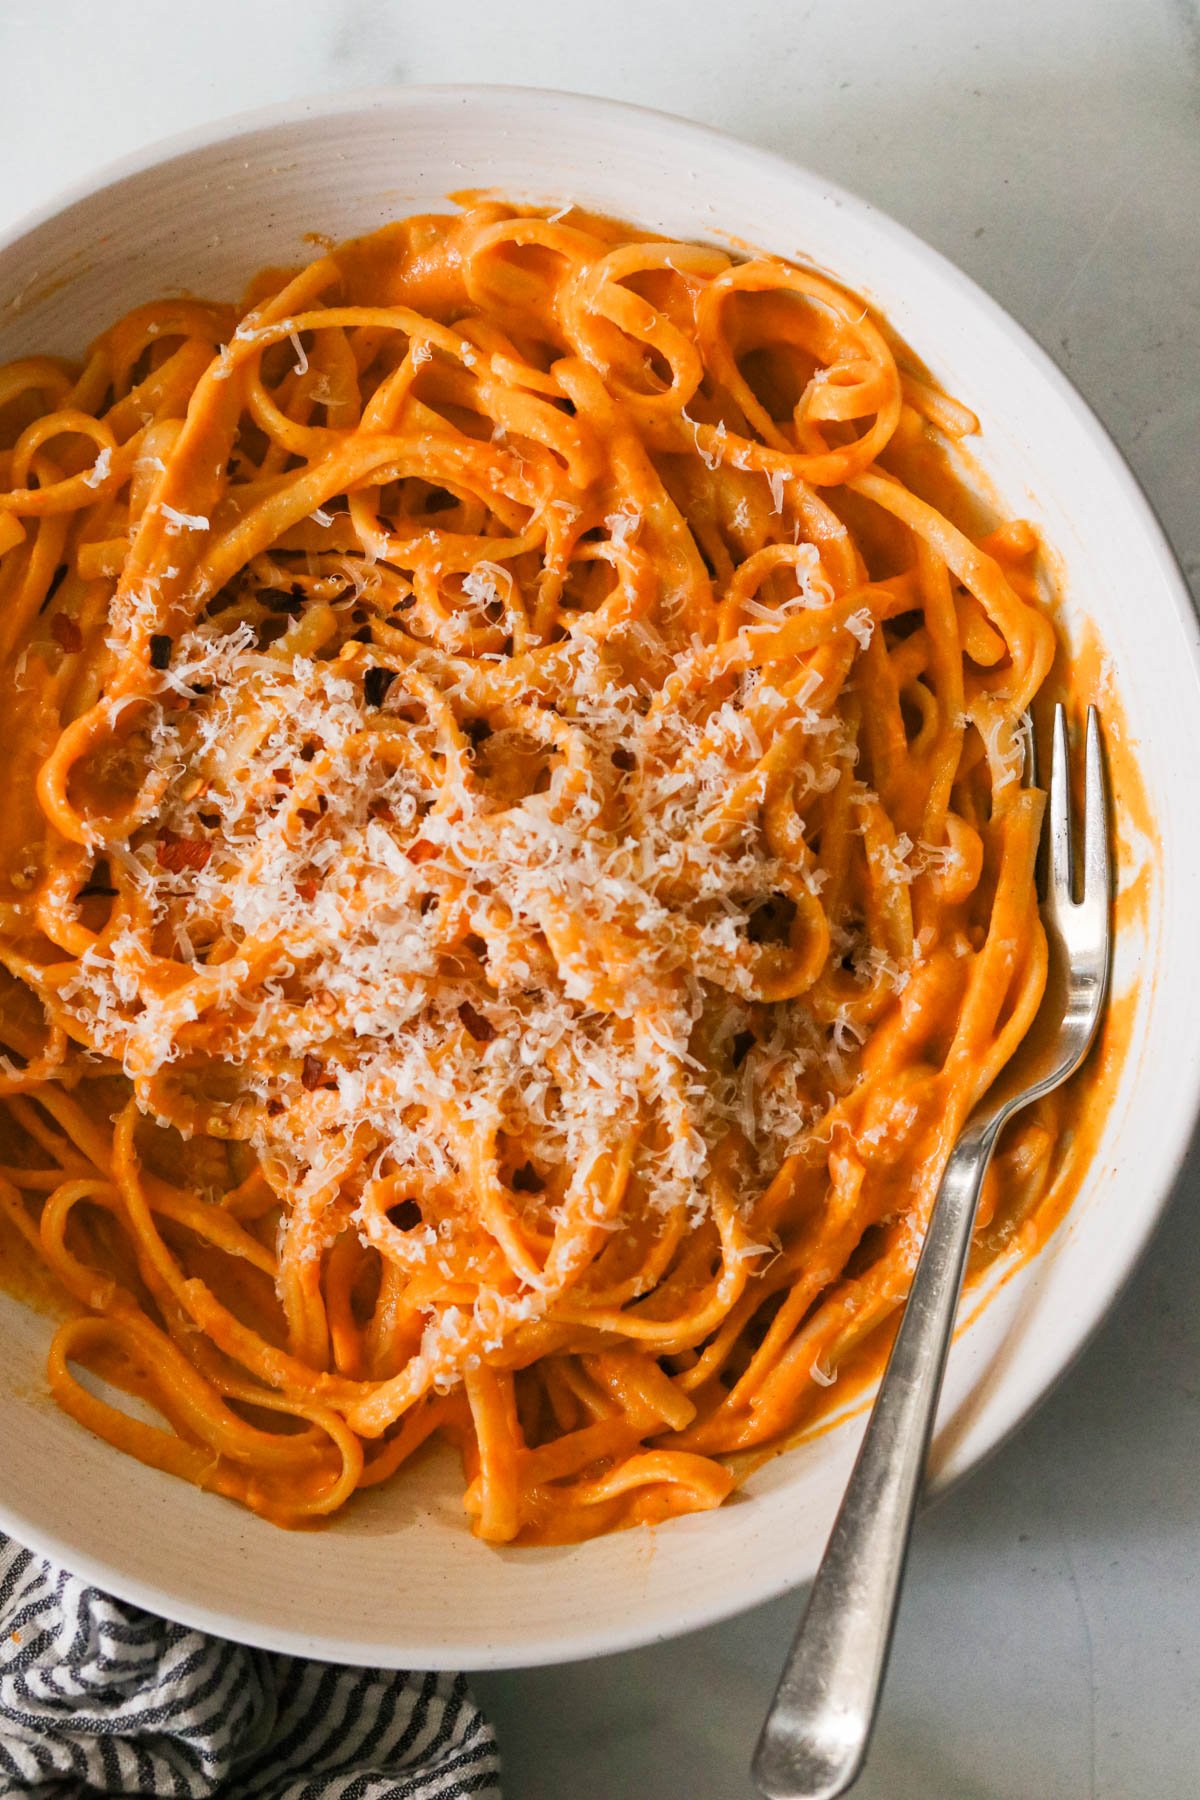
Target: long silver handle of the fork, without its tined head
{"points": [[816, 1736]]}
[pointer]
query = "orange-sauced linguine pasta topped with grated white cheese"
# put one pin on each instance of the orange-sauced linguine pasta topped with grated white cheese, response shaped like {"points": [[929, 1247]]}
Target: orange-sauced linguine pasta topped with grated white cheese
{"points": [[517, 863]]}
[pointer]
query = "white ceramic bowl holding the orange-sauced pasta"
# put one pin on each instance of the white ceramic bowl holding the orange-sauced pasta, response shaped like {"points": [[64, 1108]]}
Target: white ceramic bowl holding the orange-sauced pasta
{"points": [[399, 1579]]}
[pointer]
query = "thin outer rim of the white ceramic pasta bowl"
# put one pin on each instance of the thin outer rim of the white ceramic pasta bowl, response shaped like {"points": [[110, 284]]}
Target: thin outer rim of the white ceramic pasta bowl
{"points": [[1181, 1133]]}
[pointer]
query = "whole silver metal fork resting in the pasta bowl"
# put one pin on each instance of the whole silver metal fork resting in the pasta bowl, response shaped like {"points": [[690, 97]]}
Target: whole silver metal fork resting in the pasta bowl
{"points": [[816, 1736]]}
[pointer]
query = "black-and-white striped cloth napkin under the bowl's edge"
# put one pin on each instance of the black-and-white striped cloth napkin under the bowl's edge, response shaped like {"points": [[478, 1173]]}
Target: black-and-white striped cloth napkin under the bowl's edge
{"points": [[100, 1698]]}
